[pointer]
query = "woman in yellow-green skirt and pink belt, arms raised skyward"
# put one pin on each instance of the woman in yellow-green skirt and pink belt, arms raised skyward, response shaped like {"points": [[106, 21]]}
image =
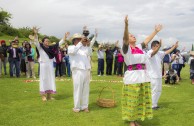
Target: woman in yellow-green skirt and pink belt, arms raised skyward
{"points": [[136, 95]]}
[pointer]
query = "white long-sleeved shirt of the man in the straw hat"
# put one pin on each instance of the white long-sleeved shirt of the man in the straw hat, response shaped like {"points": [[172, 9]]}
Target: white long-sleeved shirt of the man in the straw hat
{"points": [[79, 56]]}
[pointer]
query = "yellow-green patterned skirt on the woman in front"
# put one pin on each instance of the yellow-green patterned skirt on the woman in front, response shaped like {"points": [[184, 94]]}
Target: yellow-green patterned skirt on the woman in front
{"points": [[136, 102]]}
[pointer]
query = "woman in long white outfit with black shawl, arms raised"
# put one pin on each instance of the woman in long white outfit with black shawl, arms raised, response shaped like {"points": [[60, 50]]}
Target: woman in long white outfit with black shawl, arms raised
{"points": [[47, 76]]}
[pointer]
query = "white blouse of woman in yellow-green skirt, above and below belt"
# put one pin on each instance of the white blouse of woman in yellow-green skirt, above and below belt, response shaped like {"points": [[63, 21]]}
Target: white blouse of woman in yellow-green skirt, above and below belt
{"points": [[135, 76]]}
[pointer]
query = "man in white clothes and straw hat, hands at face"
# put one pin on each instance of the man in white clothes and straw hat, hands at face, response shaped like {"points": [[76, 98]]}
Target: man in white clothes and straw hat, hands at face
{"points": [[79, 55]]}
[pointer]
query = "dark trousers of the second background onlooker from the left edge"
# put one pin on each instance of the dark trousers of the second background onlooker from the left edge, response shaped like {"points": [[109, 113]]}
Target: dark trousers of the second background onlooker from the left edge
{"points": [[14, 62]]}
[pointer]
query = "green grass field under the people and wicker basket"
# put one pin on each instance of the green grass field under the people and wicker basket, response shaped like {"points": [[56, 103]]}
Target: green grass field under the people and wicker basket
{"points": [[21, 105]]}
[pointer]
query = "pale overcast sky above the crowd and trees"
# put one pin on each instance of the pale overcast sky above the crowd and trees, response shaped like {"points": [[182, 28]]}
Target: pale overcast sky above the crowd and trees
{"points": [[55, 17]]}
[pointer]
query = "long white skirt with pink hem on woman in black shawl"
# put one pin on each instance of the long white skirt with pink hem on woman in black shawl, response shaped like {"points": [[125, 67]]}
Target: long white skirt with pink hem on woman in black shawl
{"points": [[47, 78]]}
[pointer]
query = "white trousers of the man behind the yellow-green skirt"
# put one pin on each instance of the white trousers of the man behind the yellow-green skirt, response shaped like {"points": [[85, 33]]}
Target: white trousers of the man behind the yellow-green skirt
{"points": [[156, 86]]}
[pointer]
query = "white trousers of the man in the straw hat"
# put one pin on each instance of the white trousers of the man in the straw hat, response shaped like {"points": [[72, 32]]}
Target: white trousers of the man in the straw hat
{"points": [[81, 81]]}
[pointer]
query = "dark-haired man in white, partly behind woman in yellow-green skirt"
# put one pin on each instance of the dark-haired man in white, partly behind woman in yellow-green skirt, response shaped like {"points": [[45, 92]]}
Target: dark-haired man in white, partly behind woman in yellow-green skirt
{"points": [[155, 70]]}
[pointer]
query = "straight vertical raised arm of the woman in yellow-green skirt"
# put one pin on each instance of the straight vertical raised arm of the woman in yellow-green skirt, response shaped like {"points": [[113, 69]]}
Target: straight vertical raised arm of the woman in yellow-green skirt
{"points": [[126, 37]]}
